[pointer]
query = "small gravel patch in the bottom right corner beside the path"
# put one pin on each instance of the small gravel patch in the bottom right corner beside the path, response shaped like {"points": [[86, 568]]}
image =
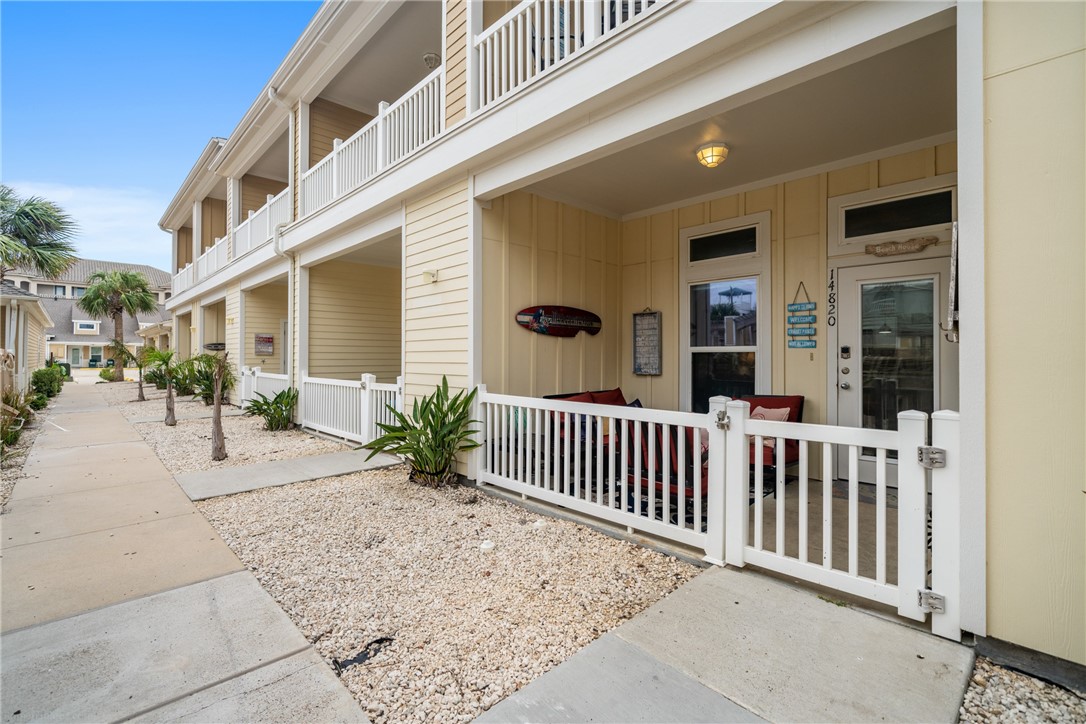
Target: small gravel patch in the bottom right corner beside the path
{"points": [[996, 694]]}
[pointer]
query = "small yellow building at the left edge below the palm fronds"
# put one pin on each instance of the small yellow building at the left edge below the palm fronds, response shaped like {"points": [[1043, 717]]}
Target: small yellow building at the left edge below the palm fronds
{"points": [[23, 322]]}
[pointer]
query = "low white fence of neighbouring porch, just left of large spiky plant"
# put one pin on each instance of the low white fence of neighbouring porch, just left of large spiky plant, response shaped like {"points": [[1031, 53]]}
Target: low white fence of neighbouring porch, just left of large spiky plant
{"points": [[349, 409]]}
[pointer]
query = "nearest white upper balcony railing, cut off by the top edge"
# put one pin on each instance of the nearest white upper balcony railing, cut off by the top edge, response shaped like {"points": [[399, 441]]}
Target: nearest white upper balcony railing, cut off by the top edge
{"points": [[540, 35]]}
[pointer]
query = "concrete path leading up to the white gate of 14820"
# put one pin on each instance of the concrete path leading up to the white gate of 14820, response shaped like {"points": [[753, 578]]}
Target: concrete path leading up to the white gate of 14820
{"points": [[738, 646]]}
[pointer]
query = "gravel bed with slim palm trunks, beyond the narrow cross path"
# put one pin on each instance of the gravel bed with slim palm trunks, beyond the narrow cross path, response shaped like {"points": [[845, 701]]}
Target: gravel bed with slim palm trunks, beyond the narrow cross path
{"points": [[186, 447]]}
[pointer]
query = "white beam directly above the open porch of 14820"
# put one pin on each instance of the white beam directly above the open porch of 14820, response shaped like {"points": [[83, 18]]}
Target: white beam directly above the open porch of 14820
{"points": [[828, 45]]}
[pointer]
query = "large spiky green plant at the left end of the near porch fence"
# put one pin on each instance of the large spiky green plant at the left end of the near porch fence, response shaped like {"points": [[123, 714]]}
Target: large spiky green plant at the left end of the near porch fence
{"points": [[431, 438]]}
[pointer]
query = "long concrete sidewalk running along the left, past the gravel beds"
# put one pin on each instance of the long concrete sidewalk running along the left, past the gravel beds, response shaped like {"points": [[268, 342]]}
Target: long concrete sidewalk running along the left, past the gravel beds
{"points": [[121, 602]]}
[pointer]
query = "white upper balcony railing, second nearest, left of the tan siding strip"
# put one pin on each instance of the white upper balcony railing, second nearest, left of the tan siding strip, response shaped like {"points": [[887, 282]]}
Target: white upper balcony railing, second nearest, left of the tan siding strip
{"points": [[398, 132]]}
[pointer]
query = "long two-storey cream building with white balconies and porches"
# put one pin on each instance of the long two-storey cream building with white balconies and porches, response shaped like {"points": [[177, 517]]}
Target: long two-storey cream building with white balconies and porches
{"points": [[416, 174]]}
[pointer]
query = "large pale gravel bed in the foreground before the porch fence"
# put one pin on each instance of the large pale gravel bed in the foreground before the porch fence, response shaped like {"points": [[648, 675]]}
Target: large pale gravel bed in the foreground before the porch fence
{"points": [[368, 557]]}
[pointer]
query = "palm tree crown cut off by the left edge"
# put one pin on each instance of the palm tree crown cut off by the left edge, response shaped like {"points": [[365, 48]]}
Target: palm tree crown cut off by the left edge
{"points": [[34, 234]]}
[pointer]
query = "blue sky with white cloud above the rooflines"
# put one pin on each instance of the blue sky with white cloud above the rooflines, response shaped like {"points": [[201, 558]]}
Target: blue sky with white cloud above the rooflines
{"points": [[105, 107]]}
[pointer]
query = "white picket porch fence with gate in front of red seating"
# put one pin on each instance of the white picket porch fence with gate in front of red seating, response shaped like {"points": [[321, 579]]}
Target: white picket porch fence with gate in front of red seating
{"points": [[701, 480]]}
